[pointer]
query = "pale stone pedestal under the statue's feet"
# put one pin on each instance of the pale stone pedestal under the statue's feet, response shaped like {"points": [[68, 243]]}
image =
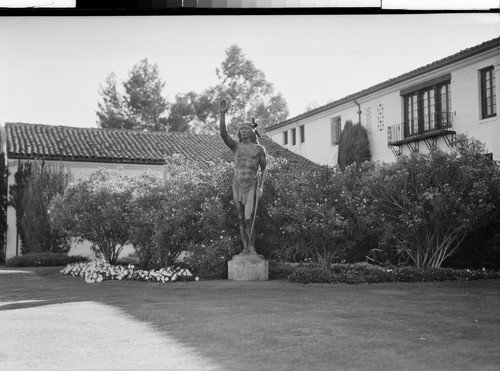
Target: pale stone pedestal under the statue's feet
{"points": [[248, 268]]}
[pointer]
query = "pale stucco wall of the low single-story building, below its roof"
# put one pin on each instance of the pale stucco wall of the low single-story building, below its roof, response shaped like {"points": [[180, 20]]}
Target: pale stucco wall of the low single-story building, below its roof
{"points": [[79, 170]]}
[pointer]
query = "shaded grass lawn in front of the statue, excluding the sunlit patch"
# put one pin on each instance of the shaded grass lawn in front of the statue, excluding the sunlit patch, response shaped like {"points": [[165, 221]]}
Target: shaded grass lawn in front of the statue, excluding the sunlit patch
{"points": [[278, 325]]}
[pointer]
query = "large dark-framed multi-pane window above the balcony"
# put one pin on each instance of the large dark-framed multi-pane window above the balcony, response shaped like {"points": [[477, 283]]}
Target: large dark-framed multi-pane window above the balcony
{"points": [[427, 109]]}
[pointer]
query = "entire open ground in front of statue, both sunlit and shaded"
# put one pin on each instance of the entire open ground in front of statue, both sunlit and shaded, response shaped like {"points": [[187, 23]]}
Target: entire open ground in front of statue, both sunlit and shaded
{"points": [[55, 322]]}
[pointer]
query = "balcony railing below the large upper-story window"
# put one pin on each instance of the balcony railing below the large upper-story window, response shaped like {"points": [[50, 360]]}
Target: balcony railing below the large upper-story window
{"points": [[437, 124]]}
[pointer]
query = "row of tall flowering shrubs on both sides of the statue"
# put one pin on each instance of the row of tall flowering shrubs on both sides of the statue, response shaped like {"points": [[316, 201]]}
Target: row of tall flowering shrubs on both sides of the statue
{"points": [[415, 211]]}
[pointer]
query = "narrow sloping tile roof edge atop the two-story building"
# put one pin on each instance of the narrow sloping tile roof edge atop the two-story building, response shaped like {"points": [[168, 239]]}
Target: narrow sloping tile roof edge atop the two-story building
{"points": [[466, 53]]}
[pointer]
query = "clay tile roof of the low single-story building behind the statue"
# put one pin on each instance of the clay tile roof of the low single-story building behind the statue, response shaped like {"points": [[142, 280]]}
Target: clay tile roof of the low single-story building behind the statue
{"points": [[35, 141]]}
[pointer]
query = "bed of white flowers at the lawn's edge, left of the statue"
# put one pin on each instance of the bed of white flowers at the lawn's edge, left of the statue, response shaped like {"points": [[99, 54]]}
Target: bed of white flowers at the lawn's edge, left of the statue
{"points": [[100, 270]]}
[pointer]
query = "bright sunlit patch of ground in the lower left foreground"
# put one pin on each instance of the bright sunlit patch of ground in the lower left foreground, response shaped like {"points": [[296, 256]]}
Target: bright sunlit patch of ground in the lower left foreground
{"points": [[84, 335]]}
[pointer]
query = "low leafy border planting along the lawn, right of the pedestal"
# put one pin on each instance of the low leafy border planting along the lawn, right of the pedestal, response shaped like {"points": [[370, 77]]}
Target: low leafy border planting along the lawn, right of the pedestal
{"points": [[365, 273]]}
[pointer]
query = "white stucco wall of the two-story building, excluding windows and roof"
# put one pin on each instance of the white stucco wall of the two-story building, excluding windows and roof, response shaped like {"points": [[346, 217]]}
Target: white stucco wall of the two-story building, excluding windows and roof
{"points": [[384, 108]]}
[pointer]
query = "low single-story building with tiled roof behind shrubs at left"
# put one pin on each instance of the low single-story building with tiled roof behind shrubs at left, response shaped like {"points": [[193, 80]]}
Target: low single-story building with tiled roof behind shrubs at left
{"points": [[82, 150]]}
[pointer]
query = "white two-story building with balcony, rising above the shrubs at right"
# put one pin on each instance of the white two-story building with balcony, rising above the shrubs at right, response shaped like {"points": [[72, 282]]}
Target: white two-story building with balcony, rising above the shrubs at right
{"points": [[417, 111]]}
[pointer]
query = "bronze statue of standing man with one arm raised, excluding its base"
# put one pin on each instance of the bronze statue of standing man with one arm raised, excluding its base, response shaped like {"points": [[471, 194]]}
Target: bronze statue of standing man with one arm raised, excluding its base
{"points": [[249, 155]]}
